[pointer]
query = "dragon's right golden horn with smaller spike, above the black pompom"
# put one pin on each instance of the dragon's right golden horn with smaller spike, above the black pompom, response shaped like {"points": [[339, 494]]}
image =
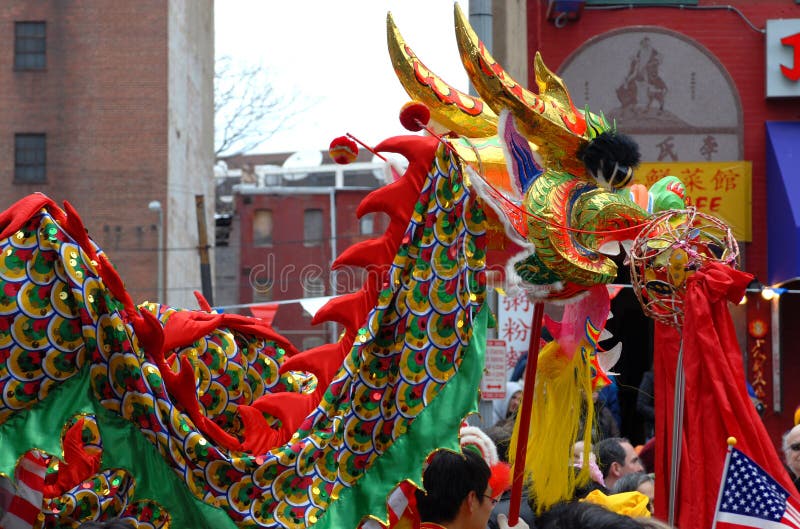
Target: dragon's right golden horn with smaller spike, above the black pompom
{"points": [[548, 119]]}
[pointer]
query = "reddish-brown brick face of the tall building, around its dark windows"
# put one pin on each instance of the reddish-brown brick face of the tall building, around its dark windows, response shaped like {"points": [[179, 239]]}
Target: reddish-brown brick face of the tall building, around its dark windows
{"points": [[102, 102]]}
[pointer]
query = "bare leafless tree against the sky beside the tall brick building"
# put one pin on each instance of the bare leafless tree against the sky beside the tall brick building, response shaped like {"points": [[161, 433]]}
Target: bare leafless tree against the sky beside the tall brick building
{"points": [[248, 108]]}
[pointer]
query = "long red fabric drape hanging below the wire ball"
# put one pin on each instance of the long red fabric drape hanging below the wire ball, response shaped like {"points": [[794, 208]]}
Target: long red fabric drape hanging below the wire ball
{"points": [[716, 401]]}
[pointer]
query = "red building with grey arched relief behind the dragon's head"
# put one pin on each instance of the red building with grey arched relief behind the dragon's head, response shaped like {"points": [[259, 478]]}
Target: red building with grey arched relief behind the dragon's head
{"points": [[689, 83]]}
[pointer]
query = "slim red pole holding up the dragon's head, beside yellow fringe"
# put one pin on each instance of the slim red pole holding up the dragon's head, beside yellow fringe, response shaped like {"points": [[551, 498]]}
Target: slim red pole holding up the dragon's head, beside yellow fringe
{"points": [[525, 413]]}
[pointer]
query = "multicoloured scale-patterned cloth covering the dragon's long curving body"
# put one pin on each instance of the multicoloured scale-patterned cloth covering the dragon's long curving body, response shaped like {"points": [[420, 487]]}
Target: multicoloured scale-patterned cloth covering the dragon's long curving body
{"points": [[59, 316]]}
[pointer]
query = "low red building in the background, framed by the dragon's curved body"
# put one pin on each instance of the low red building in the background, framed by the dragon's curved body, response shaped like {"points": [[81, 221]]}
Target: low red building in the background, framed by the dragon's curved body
{"points": [[284, 229]]}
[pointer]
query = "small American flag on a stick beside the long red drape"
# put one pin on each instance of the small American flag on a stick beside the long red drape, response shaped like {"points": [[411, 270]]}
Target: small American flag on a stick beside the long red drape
{"points": [[749, 497]]}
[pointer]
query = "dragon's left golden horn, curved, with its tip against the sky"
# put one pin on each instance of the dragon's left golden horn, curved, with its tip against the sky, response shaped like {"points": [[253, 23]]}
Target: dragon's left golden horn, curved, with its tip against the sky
{"points": [[459, 112]]}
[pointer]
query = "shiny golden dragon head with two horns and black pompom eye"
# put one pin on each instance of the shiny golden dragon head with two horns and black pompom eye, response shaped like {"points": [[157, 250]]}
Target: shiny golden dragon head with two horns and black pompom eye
{"points": [[551, 171]]}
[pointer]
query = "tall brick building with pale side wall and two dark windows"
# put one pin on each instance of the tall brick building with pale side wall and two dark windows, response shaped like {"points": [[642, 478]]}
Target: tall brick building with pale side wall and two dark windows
{"points": [[110, 107]]}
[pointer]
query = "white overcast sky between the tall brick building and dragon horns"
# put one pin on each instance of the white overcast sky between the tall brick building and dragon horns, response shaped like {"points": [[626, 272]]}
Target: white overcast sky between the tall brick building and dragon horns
{"points": [[334, 56]]}
